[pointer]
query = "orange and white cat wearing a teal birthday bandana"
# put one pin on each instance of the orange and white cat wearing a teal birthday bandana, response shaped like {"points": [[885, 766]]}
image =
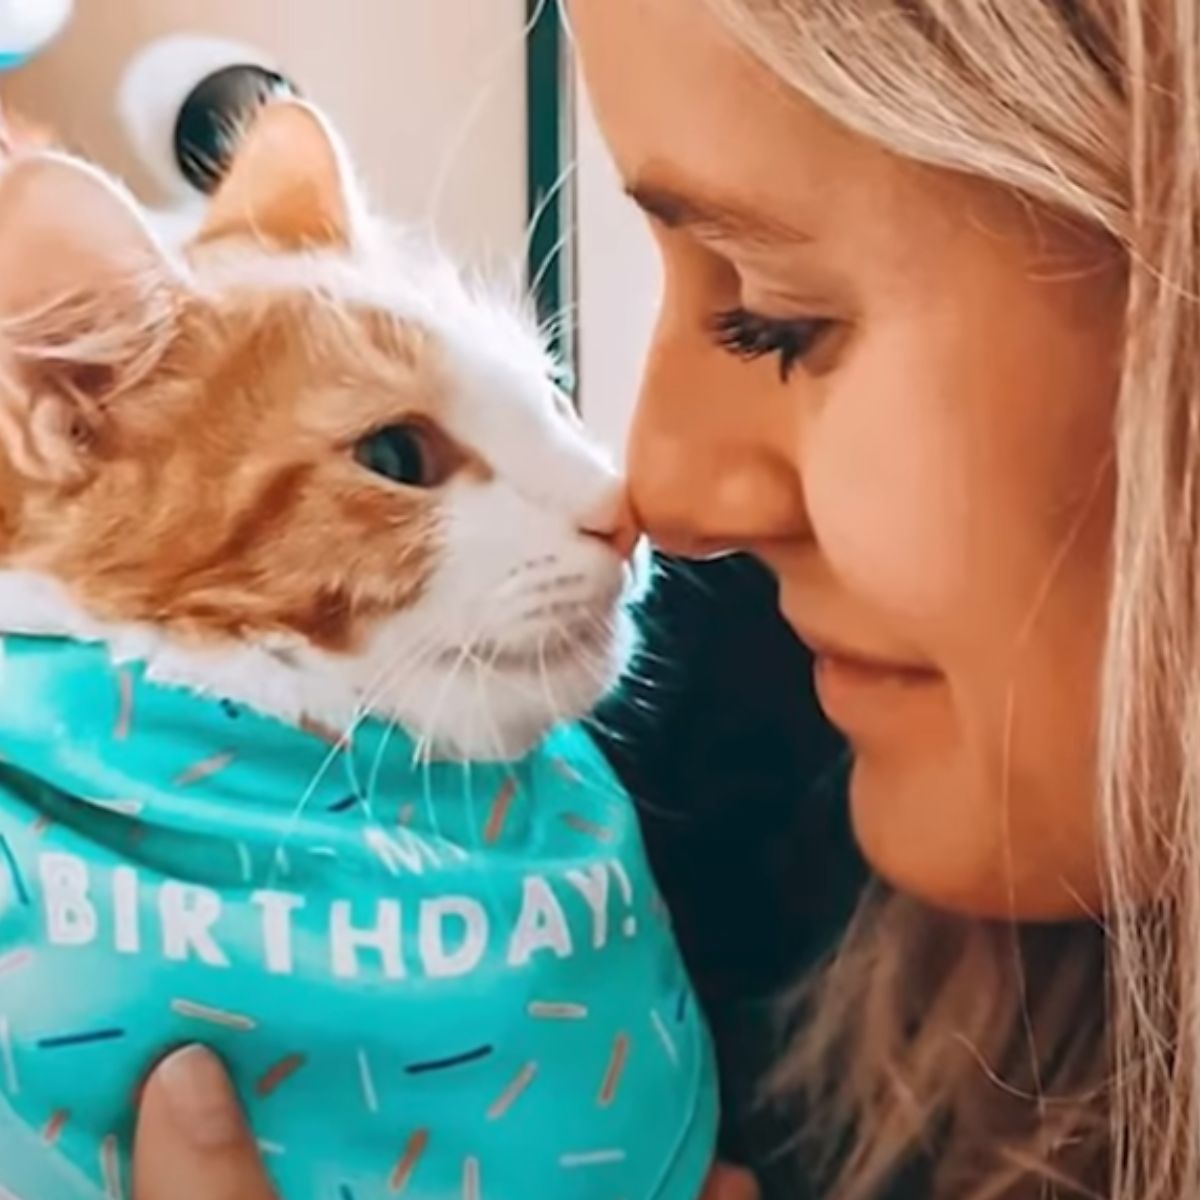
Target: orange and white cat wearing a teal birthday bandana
{"points": [[293, 520]]}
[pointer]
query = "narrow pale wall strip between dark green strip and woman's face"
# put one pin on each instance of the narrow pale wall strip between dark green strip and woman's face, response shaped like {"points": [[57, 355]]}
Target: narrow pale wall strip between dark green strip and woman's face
{"points": [[620, 284]]}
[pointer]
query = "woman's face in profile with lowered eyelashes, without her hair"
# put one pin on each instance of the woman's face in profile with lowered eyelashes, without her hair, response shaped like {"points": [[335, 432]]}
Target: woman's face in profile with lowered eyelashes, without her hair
{"points": [[895, 387]]}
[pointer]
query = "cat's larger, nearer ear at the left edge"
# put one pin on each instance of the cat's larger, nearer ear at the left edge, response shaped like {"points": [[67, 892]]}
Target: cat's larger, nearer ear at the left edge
{"points": [[89, 302]]}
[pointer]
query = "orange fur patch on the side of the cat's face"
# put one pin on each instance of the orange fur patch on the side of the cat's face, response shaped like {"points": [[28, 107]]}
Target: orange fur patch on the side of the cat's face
{"points": [[229, 502]]}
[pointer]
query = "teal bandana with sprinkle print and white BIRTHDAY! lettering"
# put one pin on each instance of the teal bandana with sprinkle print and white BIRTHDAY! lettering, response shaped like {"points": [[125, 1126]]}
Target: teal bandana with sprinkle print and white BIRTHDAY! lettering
{"points": [[429, 981]]}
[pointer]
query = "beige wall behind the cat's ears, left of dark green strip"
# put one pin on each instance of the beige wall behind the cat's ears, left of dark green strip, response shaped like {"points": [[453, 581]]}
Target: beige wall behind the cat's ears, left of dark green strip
{"points": [[403, 79]]}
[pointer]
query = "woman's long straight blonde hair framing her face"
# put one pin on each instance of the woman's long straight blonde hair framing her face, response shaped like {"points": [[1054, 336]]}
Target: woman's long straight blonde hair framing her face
{"points": [[1021, 1063]]}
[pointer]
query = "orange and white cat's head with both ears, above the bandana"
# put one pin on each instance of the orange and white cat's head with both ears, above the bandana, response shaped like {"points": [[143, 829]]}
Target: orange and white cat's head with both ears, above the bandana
{"points": [[307, 440]]}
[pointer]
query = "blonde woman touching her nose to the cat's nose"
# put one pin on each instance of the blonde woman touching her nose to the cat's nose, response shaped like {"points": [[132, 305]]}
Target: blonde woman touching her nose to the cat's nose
{"points": [[929, 350]]}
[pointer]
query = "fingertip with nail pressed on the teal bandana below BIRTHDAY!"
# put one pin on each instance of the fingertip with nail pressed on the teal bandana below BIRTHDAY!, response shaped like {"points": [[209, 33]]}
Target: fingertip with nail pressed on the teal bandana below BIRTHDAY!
{"points": [[193, 1142]]}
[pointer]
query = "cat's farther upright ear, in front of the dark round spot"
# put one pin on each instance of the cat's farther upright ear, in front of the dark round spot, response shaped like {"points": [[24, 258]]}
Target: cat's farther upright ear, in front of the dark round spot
{"points": [[290, 185]]}
